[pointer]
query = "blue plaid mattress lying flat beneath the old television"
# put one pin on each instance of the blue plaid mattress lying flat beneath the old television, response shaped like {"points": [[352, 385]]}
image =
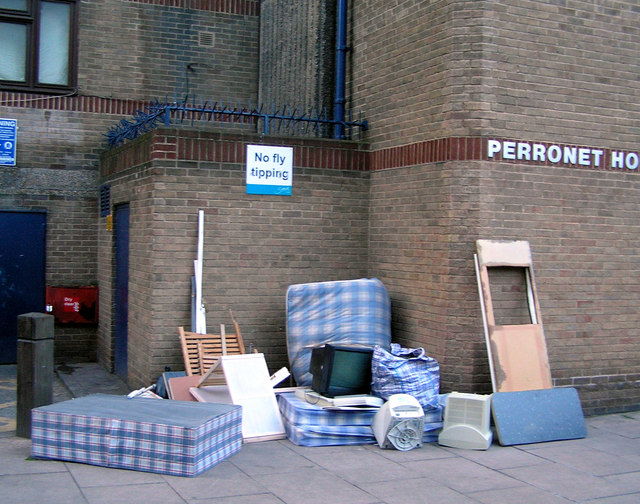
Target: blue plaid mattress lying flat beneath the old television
{"points": [[310, 425]]}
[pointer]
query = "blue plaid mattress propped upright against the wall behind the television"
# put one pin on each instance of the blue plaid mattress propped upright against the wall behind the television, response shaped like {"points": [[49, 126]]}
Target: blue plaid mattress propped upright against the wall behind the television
{"points": [[347, 312]]}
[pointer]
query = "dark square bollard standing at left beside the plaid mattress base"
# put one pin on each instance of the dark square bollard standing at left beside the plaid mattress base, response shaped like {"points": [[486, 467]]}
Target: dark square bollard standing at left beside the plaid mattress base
{"points": [[34, 369]]}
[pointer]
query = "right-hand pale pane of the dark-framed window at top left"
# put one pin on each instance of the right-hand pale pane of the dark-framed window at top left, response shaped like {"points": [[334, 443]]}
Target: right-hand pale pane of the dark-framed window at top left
{"points": [[53, 57]]}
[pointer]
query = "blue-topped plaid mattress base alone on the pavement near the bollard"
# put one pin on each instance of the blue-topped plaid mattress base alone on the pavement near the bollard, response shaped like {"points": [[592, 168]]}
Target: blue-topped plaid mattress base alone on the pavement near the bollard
{"points": [[169, 437]]}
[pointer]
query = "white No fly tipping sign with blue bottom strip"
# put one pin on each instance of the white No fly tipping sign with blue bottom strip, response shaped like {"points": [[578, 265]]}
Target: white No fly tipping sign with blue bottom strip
{"points": [[269, 170]]}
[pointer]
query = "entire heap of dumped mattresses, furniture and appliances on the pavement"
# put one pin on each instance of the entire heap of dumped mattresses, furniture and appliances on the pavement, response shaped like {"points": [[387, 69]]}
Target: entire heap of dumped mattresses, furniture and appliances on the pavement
{"points": [[353, 385]]}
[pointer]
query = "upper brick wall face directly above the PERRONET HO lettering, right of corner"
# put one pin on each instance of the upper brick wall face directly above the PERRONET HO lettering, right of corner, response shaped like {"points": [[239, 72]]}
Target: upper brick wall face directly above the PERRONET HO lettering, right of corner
{"points": [[561, 71]]}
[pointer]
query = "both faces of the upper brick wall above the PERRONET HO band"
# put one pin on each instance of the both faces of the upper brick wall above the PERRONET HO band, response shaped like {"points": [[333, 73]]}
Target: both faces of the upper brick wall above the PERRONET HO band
{"points": [[549, 71]]}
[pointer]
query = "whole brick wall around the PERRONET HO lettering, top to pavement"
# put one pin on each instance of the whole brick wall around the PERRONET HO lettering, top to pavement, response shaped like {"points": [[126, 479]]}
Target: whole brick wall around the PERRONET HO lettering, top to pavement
{"points": [[433, 92]]}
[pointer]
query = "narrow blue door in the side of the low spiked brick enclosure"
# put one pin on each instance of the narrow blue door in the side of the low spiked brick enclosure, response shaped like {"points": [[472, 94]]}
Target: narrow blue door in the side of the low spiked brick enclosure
{"points": [[121, 295]]}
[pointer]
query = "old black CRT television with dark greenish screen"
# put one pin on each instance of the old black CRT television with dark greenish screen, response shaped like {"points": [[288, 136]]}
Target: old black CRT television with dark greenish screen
{"points": [[341, 370]]}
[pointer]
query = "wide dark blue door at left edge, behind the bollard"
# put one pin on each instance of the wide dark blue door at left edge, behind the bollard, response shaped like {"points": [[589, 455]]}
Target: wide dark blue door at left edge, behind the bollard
{"points": [[22, 274]]}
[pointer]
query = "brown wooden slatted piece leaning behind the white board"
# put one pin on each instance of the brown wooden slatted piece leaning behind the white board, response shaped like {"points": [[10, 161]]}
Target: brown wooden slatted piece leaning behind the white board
{"points": [[201, 351]]}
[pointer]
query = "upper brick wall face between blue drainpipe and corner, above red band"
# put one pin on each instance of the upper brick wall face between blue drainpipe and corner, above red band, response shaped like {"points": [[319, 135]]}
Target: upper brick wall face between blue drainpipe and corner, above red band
{"points": [[416, 69]]}
